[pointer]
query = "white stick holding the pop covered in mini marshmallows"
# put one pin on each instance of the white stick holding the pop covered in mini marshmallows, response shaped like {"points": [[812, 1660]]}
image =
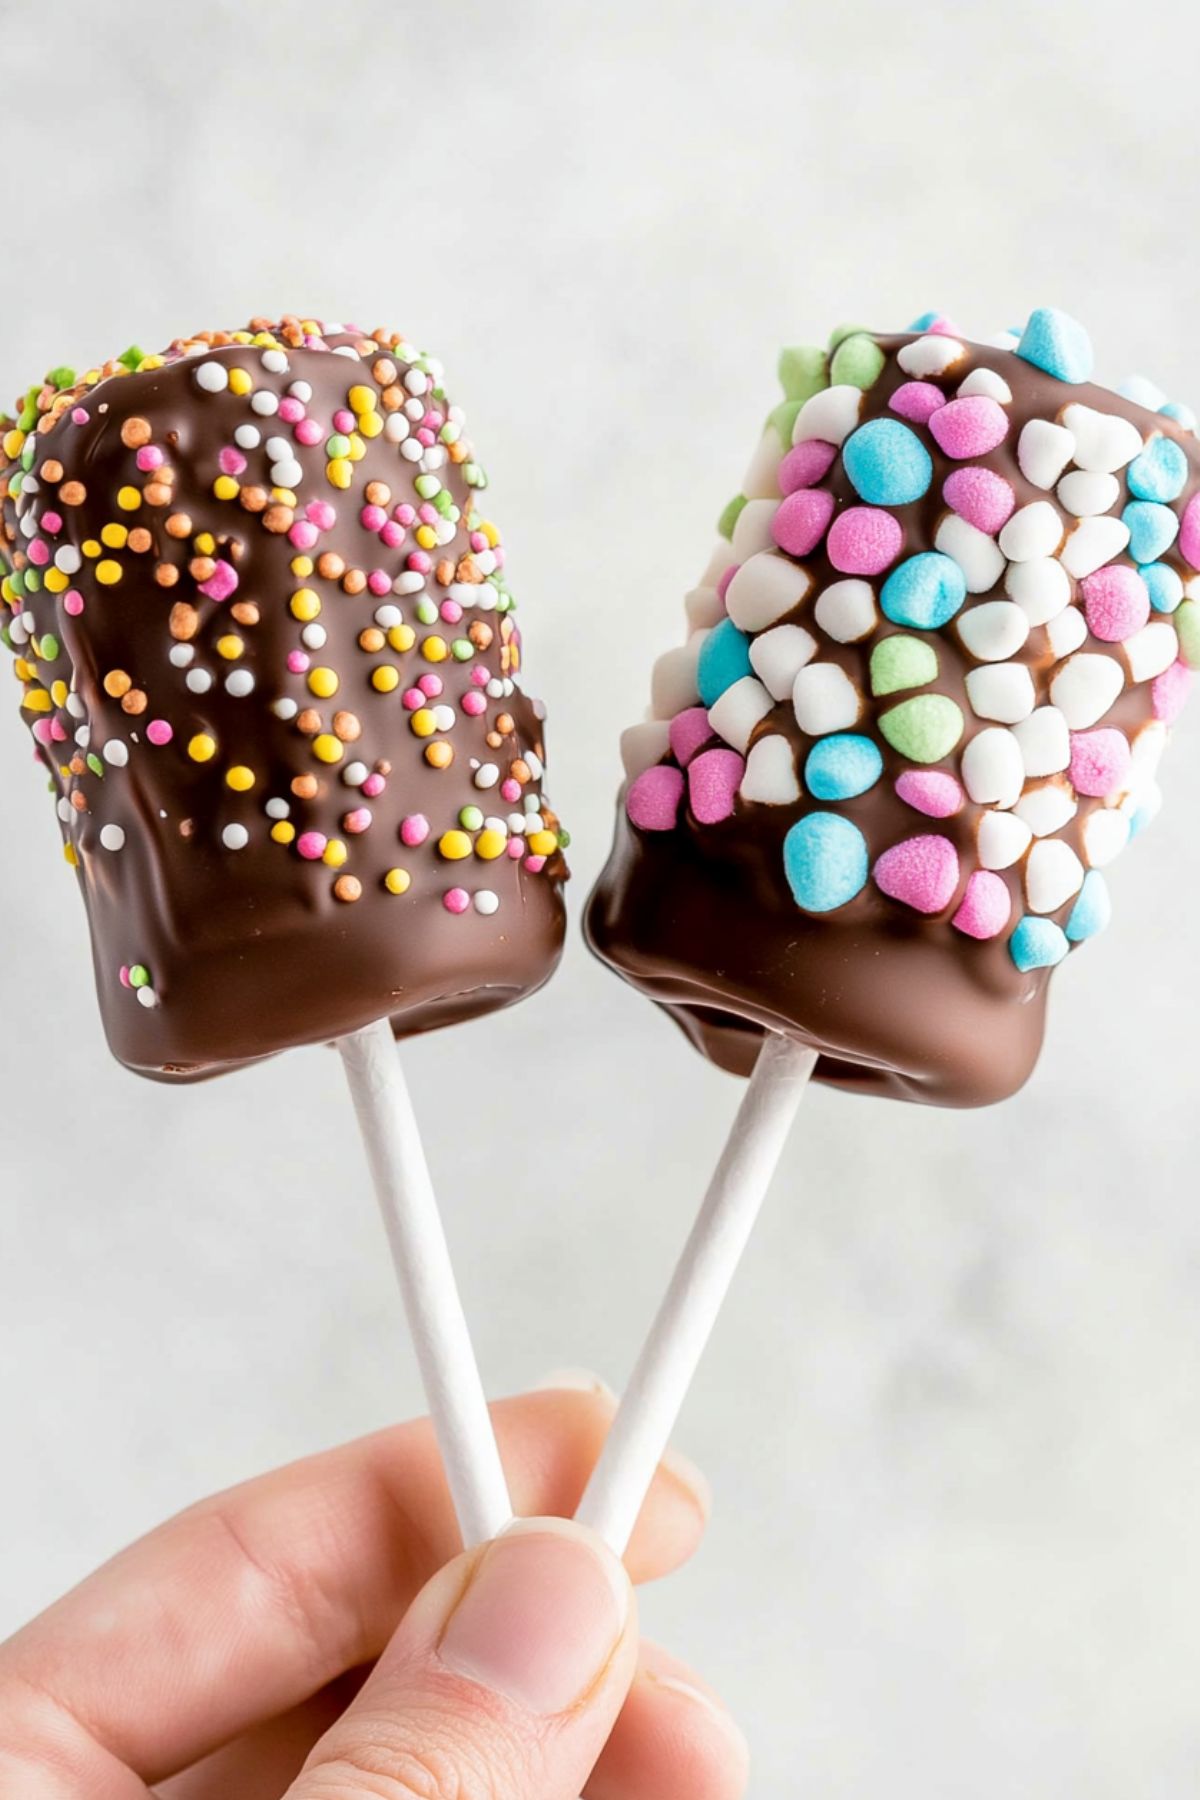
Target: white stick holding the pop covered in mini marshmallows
{"points": [[672, 1354]]}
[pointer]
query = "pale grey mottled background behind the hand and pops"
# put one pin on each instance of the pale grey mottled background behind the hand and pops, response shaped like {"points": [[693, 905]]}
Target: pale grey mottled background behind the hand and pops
{"points": [[953, 1410]]}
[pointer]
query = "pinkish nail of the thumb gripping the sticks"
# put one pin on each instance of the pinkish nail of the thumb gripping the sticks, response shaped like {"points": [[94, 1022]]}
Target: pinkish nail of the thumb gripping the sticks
{"points": [[542, 1617]]}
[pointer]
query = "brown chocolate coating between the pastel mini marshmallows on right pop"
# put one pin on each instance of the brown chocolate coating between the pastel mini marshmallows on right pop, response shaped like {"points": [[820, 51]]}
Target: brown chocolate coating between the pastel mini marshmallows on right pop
{"points": [[900, 1003]]}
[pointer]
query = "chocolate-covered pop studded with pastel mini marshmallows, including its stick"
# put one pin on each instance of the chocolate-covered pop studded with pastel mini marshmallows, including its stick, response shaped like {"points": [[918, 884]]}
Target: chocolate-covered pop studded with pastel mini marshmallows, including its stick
{"points": [[929, 679]]}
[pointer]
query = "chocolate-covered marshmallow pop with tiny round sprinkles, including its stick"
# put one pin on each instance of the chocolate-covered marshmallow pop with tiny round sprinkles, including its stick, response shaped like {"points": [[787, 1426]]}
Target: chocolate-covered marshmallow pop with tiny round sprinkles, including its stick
{"points": [[267, 652]]}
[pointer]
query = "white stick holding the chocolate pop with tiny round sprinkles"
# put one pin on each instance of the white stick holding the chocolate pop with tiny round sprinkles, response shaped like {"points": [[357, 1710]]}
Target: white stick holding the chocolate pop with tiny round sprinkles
{"points": [[443, 1344]]}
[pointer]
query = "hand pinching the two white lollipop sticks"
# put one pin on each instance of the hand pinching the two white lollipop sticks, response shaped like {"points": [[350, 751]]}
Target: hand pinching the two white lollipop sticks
{"points": [[314, 1635]]}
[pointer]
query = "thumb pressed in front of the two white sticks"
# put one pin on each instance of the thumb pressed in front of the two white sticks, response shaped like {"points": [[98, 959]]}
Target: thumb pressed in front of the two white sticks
{"points": [[503, 1682]]}
